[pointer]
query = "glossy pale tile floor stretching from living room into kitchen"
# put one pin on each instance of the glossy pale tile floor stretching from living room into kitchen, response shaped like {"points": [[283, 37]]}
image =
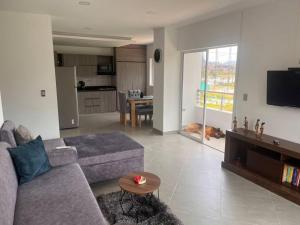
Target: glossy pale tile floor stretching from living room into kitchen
{"points": [[194, 185]]}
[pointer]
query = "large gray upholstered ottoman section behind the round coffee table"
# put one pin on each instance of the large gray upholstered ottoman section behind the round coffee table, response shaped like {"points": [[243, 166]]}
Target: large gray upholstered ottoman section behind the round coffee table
{"points": [[107, 156]]}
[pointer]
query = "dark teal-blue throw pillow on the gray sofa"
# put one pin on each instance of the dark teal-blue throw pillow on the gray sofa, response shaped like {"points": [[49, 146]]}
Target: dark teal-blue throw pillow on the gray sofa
{"points": [[30, 160]]}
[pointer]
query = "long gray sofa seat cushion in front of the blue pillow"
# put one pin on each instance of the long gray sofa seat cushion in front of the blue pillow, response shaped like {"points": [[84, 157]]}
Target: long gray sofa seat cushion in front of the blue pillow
{"points": [[61, 196]]}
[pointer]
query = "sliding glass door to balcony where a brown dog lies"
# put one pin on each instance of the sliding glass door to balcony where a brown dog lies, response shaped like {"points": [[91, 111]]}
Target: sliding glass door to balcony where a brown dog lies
{"points": [[208, 84]]}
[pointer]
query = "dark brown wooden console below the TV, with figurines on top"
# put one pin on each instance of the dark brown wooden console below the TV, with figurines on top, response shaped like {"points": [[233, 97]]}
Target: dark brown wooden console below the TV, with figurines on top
{"points": [[261, 161]]}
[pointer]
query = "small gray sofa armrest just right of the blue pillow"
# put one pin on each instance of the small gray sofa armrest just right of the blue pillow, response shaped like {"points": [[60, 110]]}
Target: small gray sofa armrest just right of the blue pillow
{"points": [[61, 156]]}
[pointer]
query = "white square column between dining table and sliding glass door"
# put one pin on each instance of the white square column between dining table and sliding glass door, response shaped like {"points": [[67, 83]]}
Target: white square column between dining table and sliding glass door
{"points": [[167, 81]]}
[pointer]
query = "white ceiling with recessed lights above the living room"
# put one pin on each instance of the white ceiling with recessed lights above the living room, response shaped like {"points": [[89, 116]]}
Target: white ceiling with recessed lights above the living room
{"points": [[125, 19]]}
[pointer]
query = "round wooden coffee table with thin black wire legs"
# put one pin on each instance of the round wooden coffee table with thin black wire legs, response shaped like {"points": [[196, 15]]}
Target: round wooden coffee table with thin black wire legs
{"points": [[146, 190]]}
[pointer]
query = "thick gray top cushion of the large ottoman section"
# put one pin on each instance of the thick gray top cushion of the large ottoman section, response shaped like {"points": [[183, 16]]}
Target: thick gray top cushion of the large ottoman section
{"points": [[101, 148]]}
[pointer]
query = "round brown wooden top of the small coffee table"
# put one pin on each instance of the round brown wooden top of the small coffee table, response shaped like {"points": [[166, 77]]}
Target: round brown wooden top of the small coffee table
{"points": [[127, 183]]}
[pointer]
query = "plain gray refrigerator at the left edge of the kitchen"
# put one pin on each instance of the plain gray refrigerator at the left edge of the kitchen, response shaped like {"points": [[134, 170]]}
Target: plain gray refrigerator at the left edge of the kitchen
{"points": [[66, 85]]}
